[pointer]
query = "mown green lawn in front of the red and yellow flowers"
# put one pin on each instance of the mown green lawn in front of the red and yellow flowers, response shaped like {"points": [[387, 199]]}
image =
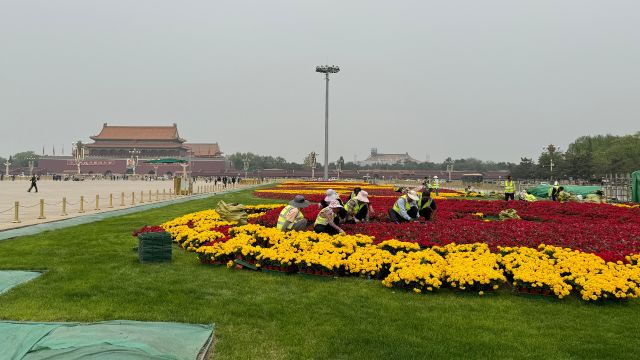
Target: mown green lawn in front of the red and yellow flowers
{"points": [[93, 274]]}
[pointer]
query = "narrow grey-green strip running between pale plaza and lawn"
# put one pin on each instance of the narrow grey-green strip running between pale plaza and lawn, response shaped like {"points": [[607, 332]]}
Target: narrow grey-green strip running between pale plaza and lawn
{"points": [[86, 219]]}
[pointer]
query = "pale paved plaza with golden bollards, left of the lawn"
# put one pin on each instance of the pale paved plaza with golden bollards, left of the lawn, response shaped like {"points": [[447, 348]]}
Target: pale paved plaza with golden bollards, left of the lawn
{"points": [[53, 192]]}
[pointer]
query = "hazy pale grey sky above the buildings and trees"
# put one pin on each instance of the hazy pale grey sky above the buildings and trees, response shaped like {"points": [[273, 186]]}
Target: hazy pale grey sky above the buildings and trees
{"points": [[489, 79]]}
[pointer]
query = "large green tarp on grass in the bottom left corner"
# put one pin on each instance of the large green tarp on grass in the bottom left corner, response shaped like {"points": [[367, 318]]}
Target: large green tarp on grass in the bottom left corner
{"points": [[118, 339]]}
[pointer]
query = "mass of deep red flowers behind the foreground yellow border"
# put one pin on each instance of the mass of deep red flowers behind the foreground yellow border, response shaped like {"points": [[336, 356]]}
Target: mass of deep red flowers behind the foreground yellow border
{"points": [[608, 231]]}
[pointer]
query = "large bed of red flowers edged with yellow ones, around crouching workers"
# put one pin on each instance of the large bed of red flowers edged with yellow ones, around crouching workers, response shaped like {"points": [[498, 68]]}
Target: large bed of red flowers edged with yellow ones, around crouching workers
{"points": [[555, 249]]}
